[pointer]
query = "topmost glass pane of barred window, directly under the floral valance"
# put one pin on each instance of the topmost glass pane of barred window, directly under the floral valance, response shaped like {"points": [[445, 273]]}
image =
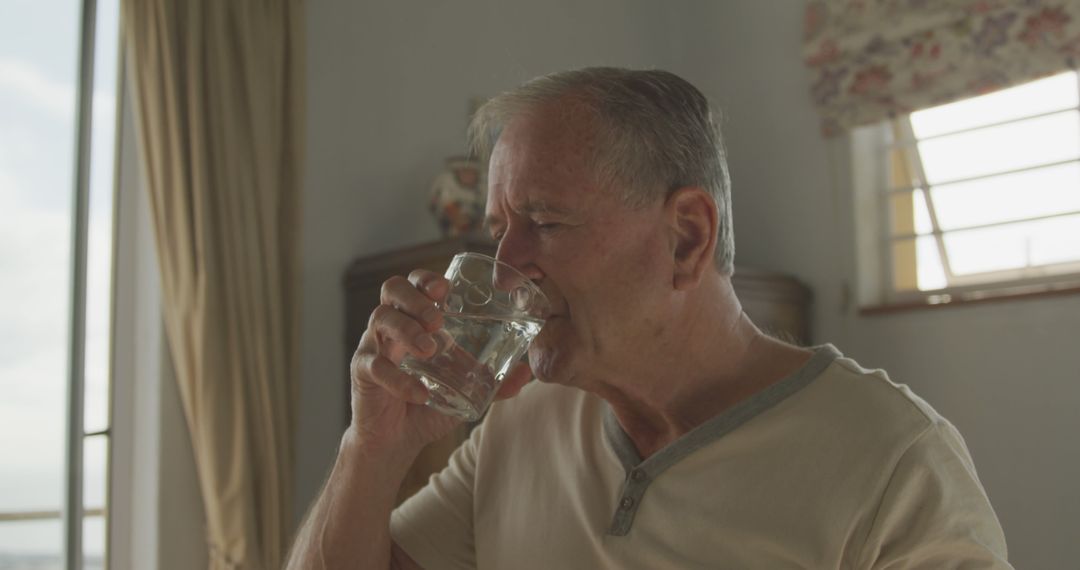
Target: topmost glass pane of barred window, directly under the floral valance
{"points": [[1045, 96]]}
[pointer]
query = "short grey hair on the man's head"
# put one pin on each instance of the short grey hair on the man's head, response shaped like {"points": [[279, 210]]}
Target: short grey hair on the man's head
{"points": [[656, 134]]}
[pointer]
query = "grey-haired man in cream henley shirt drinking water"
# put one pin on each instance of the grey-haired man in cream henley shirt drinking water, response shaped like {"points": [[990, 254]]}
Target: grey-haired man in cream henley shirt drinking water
{"points": [[666, 431]]}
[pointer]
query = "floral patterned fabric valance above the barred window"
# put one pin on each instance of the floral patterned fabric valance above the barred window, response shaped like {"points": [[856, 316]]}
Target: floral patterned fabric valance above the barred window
{"points": [[873, 60]]}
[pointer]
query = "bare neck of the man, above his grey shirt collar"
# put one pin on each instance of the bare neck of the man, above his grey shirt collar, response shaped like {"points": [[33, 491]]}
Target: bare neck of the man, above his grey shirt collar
{"points": [[718, 359]]}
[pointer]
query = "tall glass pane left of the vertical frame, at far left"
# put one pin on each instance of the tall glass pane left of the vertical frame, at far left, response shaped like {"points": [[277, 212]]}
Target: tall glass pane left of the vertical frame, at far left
{"points": [[38, 77]]}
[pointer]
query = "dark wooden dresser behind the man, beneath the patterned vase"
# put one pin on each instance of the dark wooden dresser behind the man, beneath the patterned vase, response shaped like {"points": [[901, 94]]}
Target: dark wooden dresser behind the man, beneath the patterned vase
{"points": [[778, 304]]}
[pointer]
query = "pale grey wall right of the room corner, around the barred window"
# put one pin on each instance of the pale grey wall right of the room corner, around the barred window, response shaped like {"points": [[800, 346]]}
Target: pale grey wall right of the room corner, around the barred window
{"points": [[1005, 374]]}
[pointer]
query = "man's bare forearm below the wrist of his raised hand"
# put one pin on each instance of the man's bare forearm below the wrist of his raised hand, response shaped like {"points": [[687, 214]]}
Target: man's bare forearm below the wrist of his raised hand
{"points": [[349, 525]]}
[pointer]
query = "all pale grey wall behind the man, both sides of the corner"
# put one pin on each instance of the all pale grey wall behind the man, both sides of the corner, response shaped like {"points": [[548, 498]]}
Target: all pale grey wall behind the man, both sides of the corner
{"points": [[388, 92]]}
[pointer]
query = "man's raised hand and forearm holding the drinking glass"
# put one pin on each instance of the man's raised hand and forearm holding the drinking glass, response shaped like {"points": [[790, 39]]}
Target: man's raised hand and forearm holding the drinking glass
{"points": [[348, 527]]}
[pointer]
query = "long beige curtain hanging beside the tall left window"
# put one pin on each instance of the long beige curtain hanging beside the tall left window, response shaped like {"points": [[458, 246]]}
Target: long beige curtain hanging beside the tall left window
{"points": [[219, 92]]}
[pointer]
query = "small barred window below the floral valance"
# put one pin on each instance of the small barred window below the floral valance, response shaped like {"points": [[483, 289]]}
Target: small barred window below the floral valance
{"points": [[980, 198]]}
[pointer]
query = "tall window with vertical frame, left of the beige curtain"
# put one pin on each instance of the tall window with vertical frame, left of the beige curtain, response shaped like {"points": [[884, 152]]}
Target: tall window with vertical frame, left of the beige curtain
{"points": [[59, 70]]}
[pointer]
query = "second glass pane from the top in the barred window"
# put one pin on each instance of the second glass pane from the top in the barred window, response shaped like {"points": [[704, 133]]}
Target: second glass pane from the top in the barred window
{"points": [[997, 150]]}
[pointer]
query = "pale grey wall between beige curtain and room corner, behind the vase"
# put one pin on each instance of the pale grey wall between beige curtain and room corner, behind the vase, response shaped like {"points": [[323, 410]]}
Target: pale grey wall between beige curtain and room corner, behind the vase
{"points": [[389, 87]]}
